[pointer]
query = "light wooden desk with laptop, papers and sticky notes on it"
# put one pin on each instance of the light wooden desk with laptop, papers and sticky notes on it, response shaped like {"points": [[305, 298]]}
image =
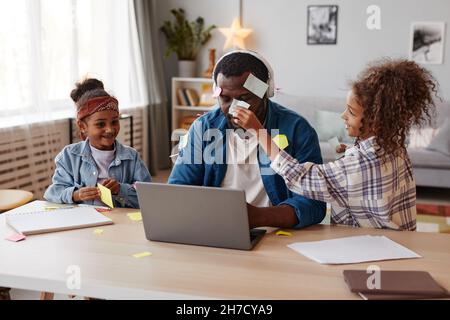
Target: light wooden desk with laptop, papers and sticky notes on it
{"points": [[270, 271]]}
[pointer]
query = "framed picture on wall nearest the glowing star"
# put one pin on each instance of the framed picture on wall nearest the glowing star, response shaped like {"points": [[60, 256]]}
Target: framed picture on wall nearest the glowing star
{"points": [[322, 24]]}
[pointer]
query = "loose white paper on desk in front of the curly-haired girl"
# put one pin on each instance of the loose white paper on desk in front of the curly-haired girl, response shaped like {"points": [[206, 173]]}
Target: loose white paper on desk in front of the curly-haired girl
{"points": [[353, 250]]}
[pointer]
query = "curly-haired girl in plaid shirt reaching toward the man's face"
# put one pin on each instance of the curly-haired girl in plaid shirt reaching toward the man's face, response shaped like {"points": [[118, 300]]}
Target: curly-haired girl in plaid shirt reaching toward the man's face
{"points": [[373, 185]]}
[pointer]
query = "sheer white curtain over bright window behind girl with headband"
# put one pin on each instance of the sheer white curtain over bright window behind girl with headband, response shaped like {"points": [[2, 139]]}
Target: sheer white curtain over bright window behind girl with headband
{"points": [[47, 45]]}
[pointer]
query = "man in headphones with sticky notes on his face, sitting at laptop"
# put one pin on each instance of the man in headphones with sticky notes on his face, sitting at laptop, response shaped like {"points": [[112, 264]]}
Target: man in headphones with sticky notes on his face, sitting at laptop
{"points": [[216, 153]]}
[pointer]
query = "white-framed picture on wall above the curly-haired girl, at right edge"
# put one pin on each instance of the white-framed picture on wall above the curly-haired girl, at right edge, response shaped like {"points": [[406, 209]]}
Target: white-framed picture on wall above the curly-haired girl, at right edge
{"points": [[427, 42]]}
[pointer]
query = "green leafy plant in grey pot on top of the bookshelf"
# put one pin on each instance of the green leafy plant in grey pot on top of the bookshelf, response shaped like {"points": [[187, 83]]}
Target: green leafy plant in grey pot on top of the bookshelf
{"points": [[185, 39]]}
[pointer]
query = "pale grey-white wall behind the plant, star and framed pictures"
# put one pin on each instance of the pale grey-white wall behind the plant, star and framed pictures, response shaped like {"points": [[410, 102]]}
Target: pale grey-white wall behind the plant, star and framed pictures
{"points": [[279, 33]]}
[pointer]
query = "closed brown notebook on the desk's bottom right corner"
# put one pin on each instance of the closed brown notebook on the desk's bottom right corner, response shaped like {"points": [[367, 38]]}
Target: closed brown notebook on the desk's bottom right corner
{"points": [[404, 283]]}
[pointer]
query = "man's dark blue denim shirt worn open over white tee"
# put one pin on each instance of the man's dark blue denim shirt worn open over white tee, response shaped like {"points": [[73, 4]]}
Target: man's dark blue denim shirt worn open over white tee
{"points": [[202, 161]]}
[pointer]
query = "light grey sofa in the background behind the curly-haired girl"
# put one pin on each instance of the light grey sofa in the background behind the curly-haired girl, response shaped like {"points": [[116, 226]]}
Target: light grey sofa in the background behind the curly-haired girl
{"points": [[431, 168]]}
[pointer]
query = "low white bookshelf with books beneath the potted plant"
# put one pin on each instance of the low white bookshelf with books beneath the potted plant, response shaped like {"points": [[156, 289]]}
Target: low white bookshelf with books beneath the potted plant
{"points": [[180, 111]]}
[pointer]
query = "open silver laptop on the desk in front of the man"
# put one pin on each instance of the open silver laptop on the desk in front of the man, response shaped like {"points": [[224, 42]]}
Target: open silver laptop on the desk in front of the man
{"points": [[205, 216]]}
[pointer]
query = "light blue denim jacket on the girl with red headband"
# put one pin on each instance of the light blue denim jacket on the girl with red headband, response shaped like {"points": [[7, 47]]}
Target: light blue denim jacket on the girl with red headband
{"points": [[75, 168]]}
